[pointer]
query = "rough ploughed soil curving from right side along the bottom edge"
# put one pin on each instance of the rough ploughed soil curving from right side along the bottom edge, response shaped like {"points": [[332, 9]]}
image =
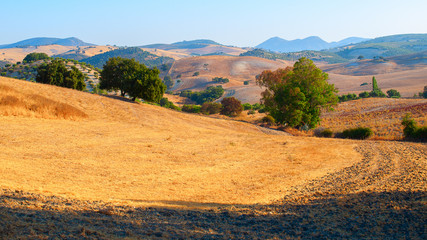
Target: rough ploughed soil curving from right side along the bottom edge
{"points": [[383, 196]]}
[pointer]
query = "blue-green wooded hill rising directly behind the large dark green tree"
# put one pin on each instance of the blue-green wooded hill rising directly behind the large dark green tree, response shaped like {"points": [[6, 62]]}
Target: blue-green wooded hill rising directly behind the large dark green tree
{"points": [[139, 55]]}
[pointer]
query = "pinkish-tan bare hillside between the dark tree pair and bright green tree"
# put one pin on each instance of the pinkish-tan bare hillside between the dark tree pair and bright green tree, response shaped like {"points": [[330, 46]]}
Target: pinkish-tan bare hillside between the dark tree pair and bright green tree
{"points": [[236, 69]]}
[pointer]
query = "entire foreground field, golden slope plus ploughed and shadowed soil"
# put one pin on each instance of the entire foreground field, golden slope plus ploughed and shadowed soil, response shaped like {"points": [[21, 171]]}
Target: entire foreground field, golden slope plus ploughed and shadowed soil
{"points": [[98, 167]]}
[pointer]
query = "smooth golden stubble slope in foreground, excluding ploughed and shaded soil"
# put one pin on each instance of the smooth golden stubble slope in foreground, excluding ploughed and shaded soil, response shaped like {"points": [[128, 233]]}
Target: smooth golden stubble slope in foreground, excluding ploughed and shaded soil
{"points": [[143, 154]]}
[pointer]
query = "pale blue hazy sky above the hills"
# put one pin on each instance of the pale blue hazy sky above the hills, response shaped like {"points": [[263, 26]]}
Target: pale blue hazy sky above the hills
{"points": [[231, 22]]}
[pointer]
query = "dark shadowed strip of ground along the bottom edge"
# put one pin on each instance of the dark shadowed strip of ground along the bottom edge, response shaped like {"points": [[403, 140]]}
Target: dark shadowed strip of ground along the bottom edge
{"points": [[390, 215]]}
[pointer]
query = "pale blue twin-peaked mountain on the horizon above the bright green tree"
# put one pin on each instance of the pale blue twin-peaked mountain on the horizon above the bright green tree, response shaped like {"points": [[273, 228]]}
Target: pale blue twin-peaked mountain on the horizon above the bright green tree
{"points": [[311, 43]]}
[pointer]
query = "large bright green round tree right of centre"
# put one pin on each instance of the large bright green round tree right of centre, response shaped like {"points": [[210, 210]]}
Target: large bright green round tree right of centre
{"points": [[295, 96]]}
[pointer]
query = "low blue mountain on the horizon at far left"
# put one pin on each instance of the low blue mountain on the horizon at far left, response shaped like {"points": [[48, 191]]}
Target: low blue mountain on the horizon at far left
{"points": [[72, 41]]}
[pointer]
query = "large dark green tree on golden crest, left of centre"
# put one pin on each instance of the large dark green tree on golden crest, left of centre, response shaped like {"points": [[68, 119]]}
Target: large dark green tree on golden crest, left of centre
{"points": [[132, 78]]}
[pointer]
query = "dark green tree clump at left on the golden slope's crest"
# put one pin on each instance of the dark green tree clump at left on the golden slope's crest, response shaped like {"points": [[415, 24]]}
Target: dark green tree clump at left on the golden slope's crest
{"points": [[56, 73]]}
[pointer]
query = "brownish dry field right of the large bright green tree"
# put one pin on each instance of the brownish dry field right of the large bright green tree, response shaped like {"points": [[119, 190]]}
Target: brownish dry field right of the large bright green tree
{"points": [[382, 115]]}
